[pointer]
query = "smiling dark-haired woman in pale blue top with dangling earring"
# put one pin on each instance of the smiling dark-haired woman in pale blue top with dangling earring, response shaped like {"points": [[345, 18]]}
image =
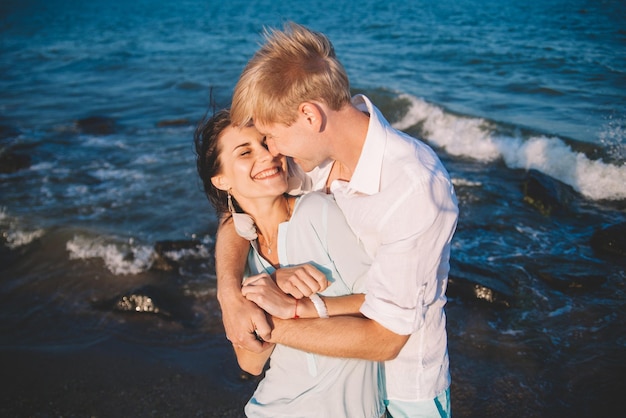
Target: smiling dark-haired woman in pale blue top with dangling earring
{"points": [[242, 179]]}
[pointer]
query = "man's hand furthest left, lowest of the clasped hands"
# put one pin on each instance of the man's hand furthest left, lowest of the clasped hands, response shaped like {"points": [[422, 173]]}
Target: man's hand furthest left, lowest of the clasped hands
{"points": [[245, 323]]}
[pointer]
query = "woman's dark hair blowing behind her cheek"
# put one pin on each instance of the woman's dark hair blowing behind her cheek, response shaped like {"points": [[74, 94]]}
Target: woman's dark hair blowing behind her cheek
{"points": [[206, 140]]}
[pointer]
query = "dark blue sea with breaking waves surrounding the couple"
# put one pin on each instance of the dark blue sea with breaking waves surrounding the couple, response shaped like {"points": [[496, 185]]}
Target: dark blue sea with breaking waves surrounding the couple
{"points": [[102, 97]]}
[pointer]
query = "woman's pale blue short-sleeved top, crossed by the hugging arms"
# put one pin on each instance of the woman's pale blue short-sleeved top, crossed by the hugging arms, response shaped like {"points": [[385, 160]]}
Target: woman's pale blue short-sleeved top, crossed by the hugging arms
{"points": [[300, 384]]}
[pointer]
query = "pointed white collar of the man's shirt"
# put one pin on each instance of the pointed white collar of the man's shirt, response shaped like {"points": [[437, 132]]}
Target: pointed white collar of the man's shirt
{"points": [[366, 176]]}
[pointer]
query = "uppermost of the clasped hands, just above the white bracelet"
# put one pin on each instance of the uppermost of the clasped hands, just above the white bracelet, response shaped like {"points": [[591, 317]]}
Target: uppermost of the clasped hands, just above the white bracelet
{"points": [[301, 281]]}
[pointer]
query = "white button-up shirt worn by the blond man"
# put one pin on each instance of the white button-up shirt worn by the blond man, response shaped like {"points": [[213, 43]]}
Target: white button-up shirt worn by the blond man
{"points": [[401, 205]]}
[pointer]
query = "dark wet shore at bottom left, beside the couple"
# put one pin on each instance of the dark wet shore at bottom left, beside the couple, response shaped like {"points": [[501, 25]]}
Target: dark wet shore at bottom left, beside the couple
{"points": [[116, 379]]}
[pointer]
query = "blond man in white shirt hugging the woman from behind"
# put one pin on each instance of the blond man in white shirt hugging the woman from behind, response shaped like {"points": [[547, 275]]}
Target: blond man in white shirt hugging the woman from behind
{"points": [[396, 196]]}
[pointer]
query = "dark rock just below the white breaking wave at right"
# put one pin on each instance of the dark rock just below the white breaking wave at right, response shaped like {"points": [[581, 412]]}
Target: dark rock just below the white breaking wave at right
{"points": [[548, 195]]}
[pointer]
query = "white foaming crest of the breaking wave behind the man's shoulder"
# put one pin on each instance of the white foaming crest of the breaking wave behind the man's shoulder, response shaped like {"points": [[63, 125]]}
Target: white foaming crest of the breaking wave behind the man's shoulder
{"points": [[477, 138]]}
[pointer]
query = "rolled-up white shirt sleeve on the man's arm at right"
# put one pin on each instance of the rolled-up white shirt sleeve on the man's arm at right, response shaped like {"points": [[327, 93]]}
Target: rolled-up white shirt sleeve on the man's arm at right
{"points": [[409, 272]]}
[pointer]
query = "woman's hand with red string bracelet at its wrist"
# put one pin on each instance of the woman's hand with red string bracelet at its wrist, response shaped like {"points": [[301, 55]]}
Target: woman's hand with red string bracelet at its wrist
{"points": [[262, 290]]}
